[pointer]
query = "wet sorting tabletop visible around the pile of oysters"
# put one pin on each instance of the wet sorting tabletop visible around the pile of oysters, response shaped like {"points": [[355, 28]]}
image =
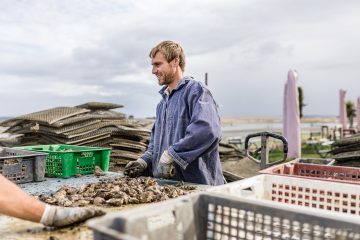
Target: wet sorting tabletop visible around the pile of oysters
{"points": [[15, 229]]}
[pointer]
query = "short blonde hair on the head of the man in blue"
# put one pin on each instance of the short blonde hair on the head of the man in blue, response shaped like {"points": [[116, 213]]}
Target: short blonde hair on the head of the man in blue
{"points": [[171, 50]]}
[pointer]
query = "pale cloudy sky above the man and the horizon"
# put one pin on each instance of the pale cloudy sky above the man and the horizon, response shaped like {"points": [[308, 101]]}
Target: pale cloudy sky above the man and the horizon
{"points": [[65, 53]]}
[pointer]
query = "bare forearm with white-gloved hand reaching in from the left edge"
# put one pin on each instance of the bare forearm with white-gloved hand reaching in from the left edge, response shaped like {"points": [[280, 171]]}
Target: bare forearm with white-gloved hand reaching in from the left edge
{"points": [[16, 203]]}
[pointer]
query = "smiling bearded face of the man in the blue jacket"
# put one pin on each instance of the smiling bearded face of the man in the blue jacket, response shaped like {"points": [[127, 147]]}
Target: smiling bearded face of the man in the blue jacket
{"points": [[163, 70]]}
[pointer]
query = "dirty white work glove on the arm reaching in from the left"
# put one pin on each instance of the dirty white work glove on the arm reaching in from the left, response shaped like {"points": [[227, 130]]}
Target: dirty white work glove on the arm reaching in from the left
{"points": [[55, 216]]}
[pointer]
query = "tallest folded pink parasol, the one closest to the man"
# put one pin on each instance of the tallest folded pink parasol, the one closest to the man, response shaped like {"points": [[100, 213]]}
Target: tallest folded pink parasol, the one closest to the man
{"points": [[291, 116]]}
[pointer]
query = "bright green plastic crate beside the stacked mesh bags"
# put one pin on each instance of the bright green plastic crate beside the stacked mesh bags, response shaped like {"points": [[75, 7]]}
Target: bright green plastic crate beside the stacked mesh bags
{"points": [[69, 160]]}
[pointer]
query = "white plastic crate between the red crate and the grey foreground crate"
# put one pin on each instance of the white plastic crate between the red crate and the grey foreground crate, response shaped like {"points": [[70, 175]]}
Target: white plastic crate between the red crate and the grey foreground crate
{"points": [[331, 196]]}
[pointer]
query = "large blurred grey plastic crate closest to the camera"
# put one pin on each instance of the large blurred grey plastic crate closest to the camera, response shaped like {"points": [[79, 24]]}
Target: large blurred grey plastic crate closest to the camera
{"points": [[208, 216]]}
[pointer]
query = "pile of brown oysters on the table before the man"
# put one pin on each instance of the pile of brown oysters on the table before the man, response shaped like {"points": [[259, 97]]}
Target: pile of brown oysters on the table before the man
{"points": [[117, 192]]}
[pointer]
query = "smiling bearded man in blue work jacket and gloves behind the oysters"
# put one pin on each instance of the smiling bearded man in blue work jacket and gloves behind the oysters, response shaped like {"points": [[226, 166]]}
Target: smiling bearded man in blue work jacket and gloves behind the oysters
{"points": [[186, 133]]}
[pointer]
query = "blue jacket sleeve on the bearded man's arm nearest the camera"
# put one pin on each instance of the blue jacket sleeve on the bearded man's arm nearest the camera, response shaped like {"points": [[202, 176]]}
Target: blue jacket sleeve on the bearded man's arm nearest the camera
{"points": [[202, 134]]}
